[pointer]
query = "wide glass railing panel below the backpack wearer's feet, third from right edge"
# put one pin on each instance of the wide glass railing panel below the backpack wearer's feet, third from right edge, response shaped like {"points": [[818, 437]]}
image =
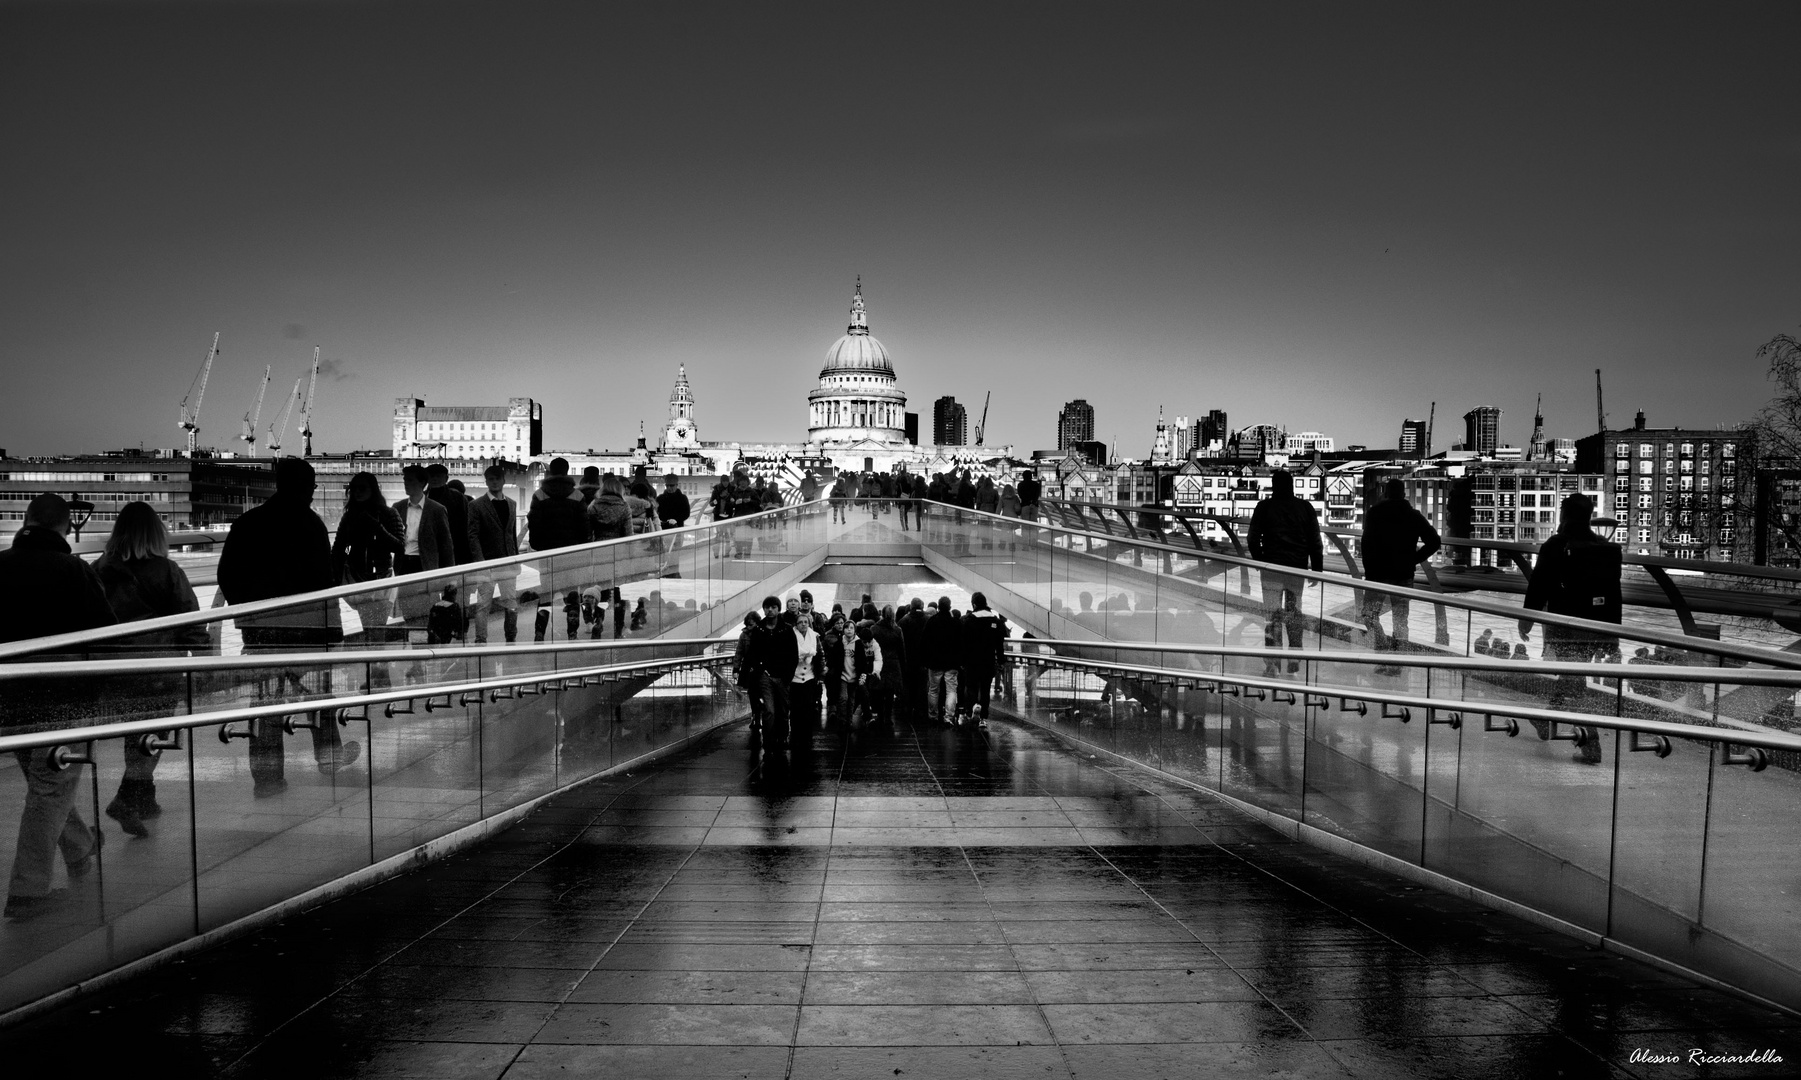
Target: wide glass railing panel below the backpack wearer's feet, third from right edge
{"points": [[1525, 822]]}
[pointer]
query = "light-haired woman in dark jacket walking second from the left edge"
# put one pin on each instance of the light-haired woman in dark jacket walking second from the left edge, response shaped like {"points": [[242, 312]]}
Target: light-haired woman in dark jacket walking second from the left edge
{"points": [[143, 582]]}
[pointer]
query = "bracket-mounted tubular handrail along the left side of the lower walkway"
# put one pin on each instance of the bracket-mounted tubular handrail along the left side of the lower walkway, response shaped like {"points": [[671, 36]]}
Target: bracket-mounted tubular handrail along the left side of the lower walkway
{"points": [[192, 721]]}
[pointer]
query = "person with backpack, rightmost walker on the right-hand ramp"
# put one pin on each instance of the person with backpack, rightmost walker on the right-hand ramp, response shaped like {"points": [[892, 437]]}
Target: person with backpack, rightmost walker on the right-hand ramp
{"points": [[1577, 575]]}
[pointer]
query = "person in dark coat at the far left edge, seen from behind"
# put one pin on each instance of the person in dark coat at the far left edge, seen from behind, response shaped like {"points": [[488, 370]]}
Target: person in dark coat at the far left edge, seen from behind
{"points": [[50, 591]]}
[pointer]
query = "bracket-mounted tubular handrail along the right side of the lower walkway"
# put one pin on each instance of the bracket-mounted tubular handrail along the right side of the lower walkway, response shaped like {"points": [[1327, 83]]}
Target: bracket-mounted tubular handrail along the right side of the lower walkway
{"points": [[1766, 741]]}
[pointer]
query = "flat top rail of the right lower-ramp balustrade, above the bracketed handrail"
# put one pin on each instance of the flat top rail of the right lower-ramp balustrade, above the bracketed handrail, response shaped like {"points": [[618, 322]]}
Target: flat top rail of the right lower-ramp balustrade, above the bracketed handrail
{"points": [[1672, 672]]}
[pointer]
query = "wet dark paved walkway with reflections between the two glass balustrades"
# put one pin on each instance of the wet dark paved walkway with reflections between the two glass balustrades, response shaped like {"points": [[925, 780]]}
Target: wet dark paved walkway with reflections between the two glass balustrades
{"points": [[898, 903]]}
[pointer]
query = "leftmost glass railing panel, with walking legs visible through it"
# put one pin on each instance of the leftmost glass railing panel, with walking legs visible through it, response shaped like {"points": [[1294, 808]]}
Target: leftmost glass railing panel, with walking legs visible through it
{"points": [[69, 912]]}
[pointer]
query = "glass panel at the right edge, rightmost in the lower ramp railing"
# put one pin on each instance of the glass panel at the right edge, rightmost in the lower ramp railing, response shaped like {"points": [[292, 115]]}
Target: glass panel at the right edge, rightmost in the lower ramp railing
{"points": [[1750, 897]]}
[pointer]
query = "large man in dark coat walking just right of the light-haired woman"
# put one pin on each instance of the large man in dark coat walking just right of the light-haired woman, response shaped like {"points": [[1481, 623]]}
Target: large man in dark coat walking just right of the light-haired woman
{"points": [[282, 550]]}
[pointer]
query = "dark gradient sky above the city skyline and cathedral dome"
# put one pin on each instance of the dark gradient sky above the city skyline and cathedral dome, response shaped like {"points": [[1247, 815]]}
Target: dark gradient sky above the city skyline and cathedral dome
{"points": [[1321, 215]]}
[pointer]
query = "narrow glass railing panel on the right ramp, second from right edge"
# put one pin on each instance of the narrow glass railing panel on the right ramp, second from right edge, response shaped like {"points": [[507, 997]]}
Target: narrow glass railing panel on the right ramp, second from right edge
{"points": [[1660, 841]]}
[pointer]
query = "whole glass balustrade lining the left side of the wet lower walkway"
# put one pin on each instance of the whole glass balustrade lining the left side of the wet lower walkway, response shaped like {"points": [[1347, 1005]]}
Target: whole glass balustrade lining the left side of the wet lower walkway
{"points": [[244, 816]]}
